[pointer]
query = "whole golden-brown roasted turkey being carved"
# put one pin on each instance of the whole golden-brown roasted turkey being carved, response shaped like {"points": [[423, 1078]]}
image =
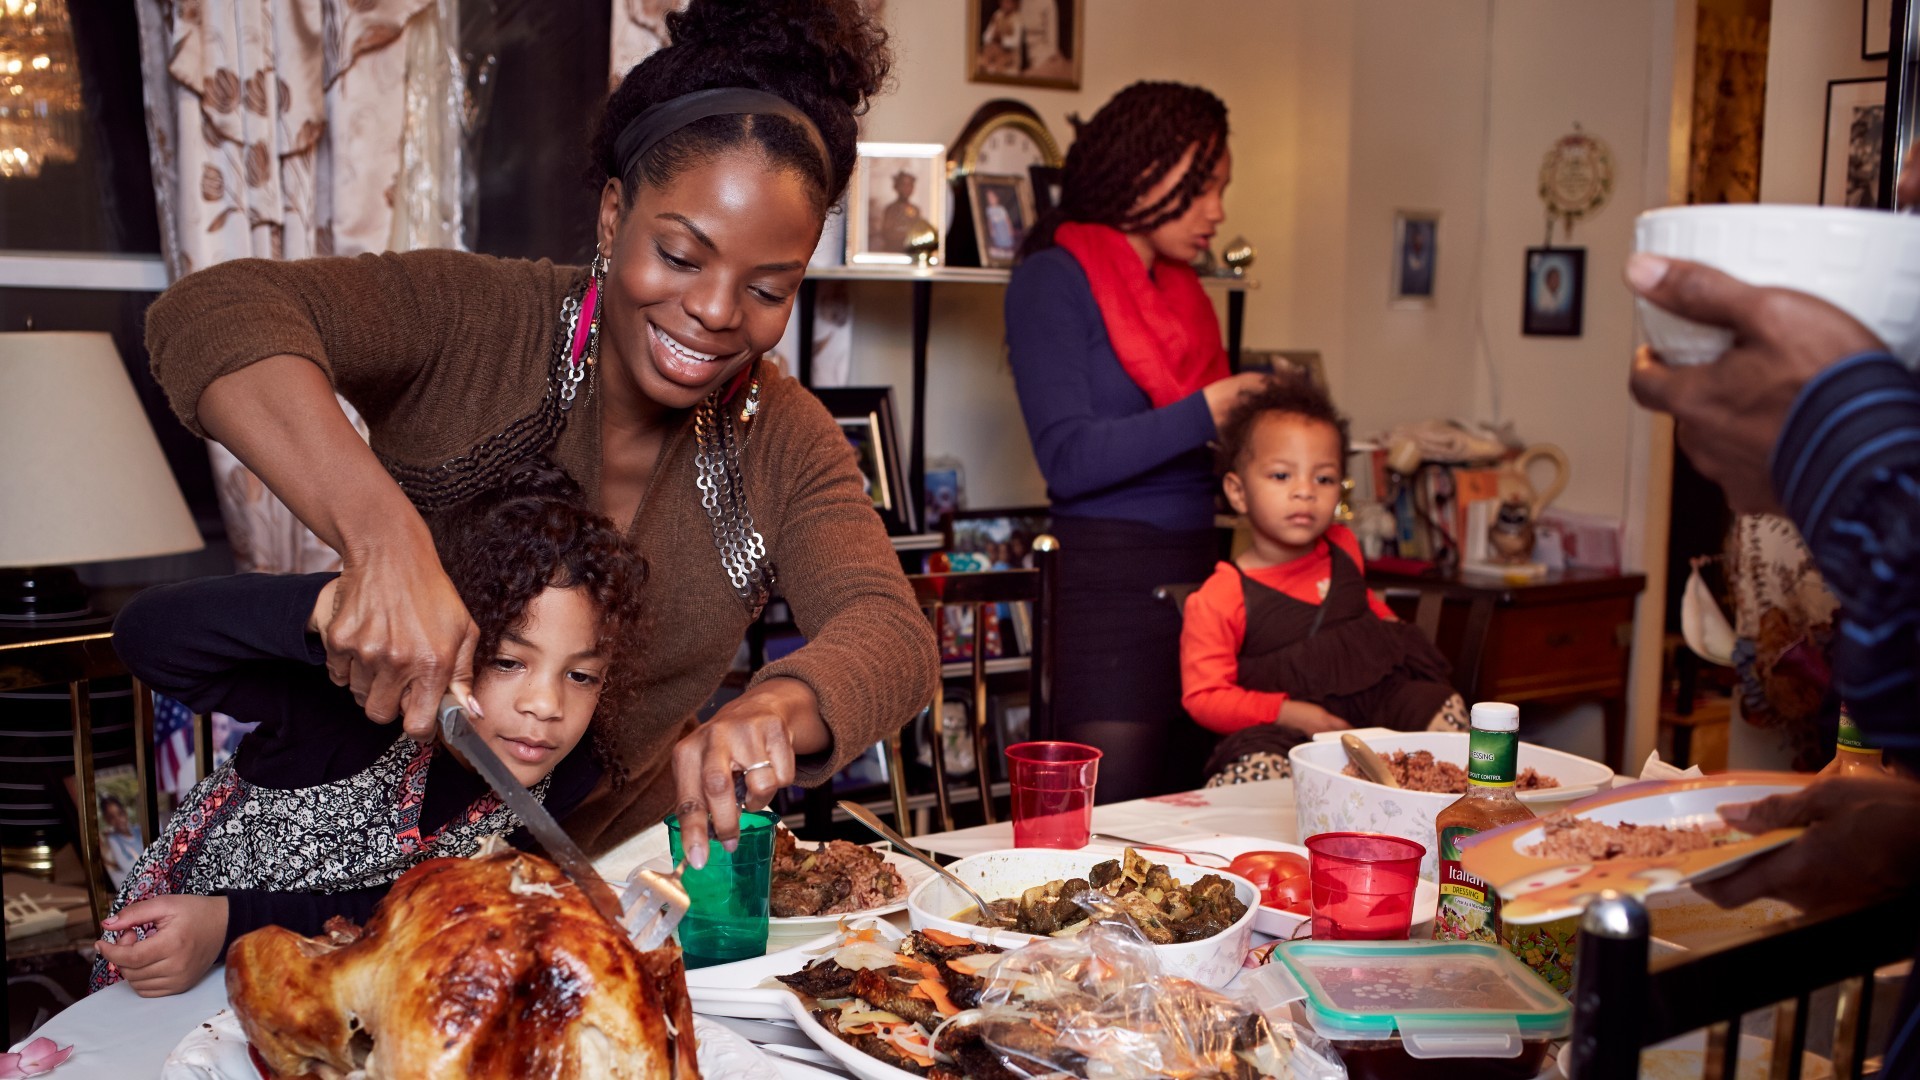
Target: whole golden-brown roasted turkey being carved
{"points": [[491, 968]]}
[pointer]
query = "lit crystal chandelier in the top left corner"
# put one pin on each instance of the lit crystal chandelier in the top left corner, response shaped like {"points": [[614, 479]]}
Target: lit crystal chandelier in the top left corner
{"points": [[39, 87]]}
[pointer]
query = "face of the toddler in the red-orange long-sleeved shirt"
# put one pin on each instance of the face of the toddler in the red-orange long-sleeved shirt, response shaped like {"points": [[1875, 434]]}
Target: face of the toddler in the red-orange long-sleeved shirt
{"points": [[1289, 483]]}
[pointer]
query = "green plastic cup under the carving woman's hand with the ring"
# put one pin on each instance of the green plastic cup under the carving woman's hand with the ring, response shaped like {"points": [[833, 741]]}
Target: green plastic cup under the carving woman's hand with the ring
{"points": [[729, 916]]}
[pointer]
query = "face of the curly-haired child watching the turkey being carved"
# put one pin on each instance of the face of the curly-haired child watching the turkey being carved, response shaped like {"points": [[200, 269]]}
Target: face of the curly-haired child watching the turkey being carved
{"points": [[540, 689]]}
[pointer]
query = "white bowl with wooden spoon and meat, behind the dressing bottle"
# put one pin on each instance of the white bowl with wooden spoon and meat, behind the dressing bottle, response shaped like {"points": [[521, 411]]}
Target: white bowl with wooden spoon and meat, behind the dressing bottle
{"points": [[1328, 800]]}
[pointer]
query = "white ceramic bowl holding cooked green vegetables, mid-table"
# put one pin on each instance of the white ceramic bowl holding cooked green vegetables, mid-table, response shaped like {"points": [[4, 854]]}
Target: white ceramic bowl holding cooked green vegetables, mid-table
{"points": [[999, 875]]}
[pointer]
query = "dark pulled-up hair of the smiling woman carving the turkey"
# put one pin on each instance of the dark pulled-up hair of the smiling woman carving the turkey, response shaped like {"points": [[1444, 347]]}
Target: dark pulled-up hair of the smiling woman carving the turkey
{"points": [[825, 57]]}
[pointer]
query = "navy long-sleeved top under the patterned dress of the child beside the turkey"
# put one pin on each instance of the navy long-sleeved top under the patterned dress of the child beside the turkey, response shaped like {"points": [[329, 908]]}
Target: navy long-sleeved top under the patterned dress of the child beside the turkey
{"points": [[241, 647]]}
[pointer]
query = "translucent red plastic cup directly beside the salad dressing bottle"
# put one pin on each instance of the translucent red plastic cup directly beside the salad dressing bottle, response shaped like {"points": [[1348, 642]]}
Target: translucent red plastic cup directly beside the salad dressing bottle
{"points": [[1362, 885]]}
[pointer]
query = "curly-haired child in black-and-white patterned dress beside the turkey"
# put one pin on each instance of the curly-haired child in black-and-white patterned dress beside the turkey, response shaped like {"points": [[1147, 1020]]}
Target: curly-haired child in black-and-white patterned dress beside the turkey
{"points": [[322, 810]]}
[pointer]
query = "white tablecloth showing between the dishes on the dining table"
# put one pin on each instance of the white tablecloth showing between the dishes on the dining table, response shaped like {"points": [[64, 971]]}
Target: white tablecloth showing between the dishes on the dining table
{"points": [[124, 1037]]}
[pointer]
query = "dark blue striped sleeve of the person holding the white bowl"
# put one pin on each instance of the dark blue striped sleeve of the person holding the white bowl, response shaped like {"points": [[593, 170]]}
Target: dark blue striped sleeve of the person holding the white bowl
{"points": [[1848, 474]]}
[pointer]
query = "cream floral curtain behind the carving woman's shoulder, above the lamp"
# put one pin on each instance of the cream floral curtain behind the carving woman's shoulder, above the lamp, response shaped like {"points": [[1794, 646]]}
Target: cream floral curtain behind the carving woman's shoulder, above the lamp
{"points": [[287, 130]]}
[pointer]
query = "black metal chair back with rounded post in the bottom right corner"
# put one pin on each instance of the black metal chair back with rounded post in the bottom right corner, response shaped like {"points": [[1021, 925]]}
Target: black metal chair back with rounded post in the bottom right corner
{"points": [[1623, 1002]]}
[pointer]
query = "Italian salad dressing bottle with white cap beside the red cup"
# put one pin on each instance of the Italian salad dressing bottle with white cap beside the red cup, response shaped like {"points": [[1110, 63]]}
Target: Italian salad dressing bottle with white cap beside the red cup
{"points": [[1470, 910]]}
